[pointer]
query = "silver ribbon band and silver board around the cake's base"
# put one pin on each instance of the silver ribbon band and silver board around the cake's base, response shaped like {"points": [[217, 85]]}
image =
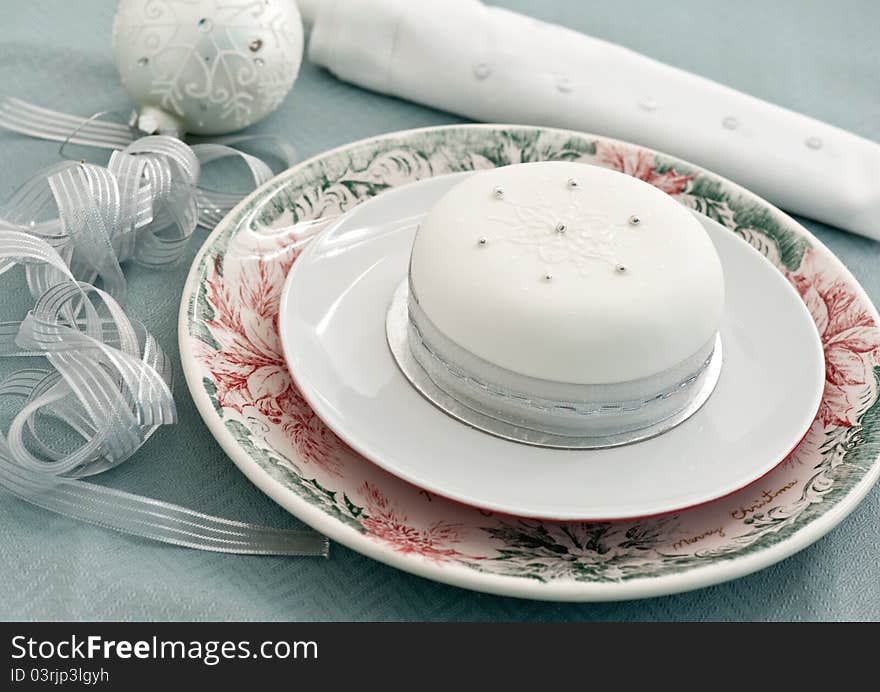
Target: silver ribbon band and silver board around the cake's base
{"points": [[537, 411]]}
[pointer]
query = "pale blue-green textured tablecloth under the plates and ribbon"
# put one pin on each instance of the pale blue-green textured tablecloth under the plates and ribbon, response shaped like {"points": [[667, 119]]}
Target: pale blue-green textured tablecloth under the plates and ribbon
{"points": [[815, 57]]}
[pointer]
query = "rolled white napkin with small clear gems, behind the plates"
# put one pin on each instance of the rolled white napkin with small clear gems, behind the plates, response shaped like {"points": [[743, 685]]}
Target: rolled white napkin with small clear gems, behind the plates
{"points": [[494, 65]]}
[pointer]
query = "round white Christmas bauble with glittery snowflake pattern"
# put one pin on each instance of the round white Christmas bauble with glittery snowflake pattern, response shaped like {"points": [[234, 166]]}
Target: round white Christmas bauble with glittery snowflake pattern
{"points": [[206, 66]]}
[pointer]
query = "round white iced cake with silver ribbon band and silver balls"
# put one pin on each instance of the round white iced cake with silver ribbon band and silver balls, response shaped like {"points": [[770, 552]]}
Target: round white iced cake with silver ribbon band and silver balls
{"points": [[568, 302]]}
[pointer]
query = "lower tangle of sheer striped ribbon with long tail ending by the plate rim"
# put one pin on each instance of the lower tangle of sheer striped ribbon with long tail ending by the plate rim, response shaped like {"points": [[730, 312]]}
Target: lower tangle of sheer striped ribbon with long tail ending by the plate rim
{"points": [[111, 386]]}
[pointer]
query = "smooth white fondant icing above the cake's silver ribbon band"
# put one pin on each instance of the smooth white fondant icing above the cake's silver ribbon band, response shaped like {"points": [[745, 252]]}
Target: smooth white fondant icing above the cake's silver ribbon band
{"points": [[625, 301]]}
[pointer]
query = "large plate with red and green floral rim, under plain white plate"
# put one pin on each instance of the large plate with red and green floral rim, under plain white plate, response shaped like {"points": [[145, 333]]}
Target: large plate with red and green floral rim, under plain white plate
{"points": [[237, 376]]}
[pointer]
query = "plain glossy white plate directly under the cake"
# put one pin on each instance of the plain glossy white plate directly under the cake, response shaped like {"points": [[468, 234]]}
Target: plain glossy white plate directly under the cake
{"points": [[332, 325]]}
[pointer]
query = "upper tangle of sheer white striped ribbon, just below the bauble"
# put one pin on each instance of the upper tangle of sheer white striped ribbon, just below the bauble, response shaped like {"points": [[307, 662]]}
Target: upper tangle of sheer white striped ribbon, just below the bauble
{"points": [[143, 206]]}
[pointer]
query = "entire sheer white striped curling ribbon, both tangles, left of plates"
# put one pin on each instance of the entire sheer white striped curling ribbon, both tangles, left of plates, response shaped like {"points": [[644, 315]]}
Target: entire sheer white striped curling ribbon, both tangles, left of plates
{"points": [[110, 381]]}
